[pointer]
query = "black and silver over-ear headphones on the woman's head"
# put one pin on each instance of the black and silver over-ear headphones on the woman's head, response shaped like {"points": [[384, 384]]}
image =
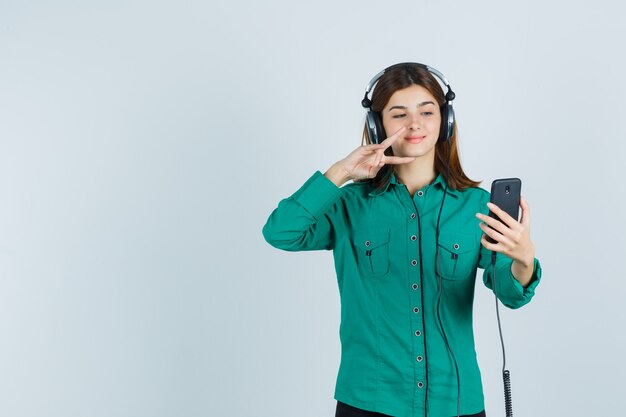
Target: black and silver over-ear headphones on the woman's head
{"points": [[374, 122]]}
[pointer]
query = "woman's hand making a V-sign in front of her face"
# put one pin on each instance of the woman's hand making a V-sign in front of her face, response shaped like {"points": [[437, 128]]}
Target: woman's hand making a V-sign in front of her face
{"points": [[366, 160]]}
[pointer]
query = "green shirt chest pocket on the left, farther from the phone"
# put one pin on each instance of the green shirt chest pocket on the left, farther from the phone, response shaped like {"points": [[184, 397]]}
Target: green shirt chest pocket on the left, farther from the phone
{"points": [[372, 251]]}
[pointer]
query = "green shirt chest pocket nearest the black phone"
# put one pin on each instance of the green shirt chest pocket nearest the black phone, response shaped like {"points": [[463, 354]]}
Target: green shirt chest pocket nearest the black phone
{"points": [[458, 255]]}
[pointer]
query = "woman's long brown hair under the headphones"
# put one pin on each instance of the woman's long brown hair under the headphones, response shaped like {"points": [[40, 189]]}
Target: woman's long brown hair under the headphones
{"points": [[398, 78]]}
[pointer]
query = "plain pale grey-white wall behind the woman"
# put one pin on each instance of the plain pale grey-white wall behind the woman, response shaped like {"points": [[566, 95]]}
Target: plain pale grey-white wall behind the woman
{"points": [[143, 144]]}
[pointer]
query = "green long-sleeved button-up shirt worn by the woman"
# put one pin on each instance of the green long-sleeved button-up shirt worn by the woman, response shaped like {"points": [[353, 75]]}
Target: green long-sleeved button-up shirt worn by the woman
{"points": [[394, 359]]}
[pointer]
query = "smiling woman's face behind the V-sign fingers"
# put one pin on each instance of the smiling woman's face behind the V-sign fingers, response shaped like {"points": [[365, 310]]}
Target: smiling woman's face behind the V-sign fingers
{"points": [[416, 108]]}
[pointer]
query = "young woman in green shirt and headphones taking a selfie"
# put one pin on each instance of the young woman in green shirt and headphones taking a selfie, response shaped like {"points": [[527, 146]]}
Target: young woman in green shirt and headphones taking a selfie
{"points": [[408, 235]]}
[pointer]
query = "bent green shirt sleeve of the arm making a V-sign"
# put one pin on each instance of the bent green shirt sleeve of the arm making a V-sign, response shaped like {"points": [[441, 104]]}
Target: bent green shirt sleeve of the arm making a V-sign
{"points": [[308, 219]]}
